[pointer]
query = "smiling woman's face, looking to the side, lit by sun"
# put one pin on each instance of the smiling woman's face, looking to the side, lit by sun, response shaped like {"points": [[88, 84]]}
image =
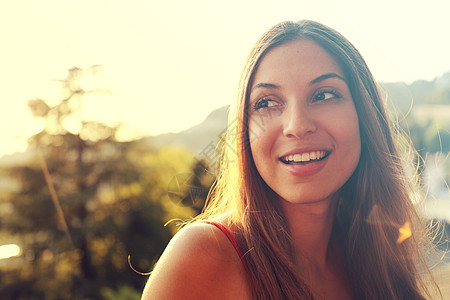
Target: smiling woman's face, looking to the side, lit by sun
{"points": [[303, 126]]}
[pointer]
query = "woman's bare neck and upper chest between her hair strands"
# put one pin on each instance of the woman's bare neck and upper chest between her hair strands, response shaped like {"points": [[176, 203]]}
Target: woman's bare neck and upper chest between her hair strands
{"points": [[318, 254]]}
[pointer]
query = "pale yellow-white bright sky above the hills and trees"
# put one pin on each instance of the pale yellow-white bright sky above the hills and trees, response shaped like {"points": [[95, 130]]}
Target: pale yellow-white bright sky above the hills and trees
{"points": [[169, 63]]}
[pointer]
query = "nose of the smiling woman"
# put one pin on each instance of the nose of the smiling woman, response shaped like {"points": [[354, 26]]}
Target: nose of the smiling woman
{"points": [[298, 122]]}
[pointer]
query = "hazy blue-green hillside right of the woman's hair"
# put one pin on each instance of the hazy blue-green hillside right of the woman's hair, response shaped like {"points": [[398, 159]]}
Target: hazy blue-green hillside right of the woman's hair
{"points": [[422, 110]]}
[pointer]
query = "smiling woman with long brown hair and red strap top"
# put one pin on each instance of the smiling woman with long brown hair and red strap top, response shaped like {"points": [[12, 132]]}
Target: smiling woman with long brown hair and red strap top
{"points": [[311, 193]]}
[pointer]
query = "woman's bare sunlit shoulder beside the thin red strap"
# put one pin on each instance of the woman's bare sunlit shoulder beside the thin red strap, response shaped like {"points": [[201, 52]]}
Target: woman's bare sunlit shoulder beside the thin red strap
{"points": [[199, 263]]}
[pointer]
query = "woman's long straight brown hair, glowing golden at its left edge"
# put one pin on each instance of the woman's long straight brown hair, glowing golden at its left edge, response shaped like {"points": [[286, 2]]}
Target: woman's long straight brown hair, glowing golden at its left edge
{"points": [[374, 202]]}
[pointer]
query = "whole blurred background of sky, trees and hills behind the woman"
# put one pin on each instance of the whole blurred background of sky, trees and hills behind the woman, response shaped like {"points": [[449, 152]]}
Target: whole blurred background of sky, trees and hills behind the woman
{"points": [[110, 112]]}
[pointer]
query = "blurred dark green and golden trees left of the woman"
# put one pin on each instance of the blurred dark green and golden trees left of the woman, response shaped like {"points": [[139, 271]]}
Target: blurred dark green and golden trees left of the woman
{"points": [[110, 200]]}
